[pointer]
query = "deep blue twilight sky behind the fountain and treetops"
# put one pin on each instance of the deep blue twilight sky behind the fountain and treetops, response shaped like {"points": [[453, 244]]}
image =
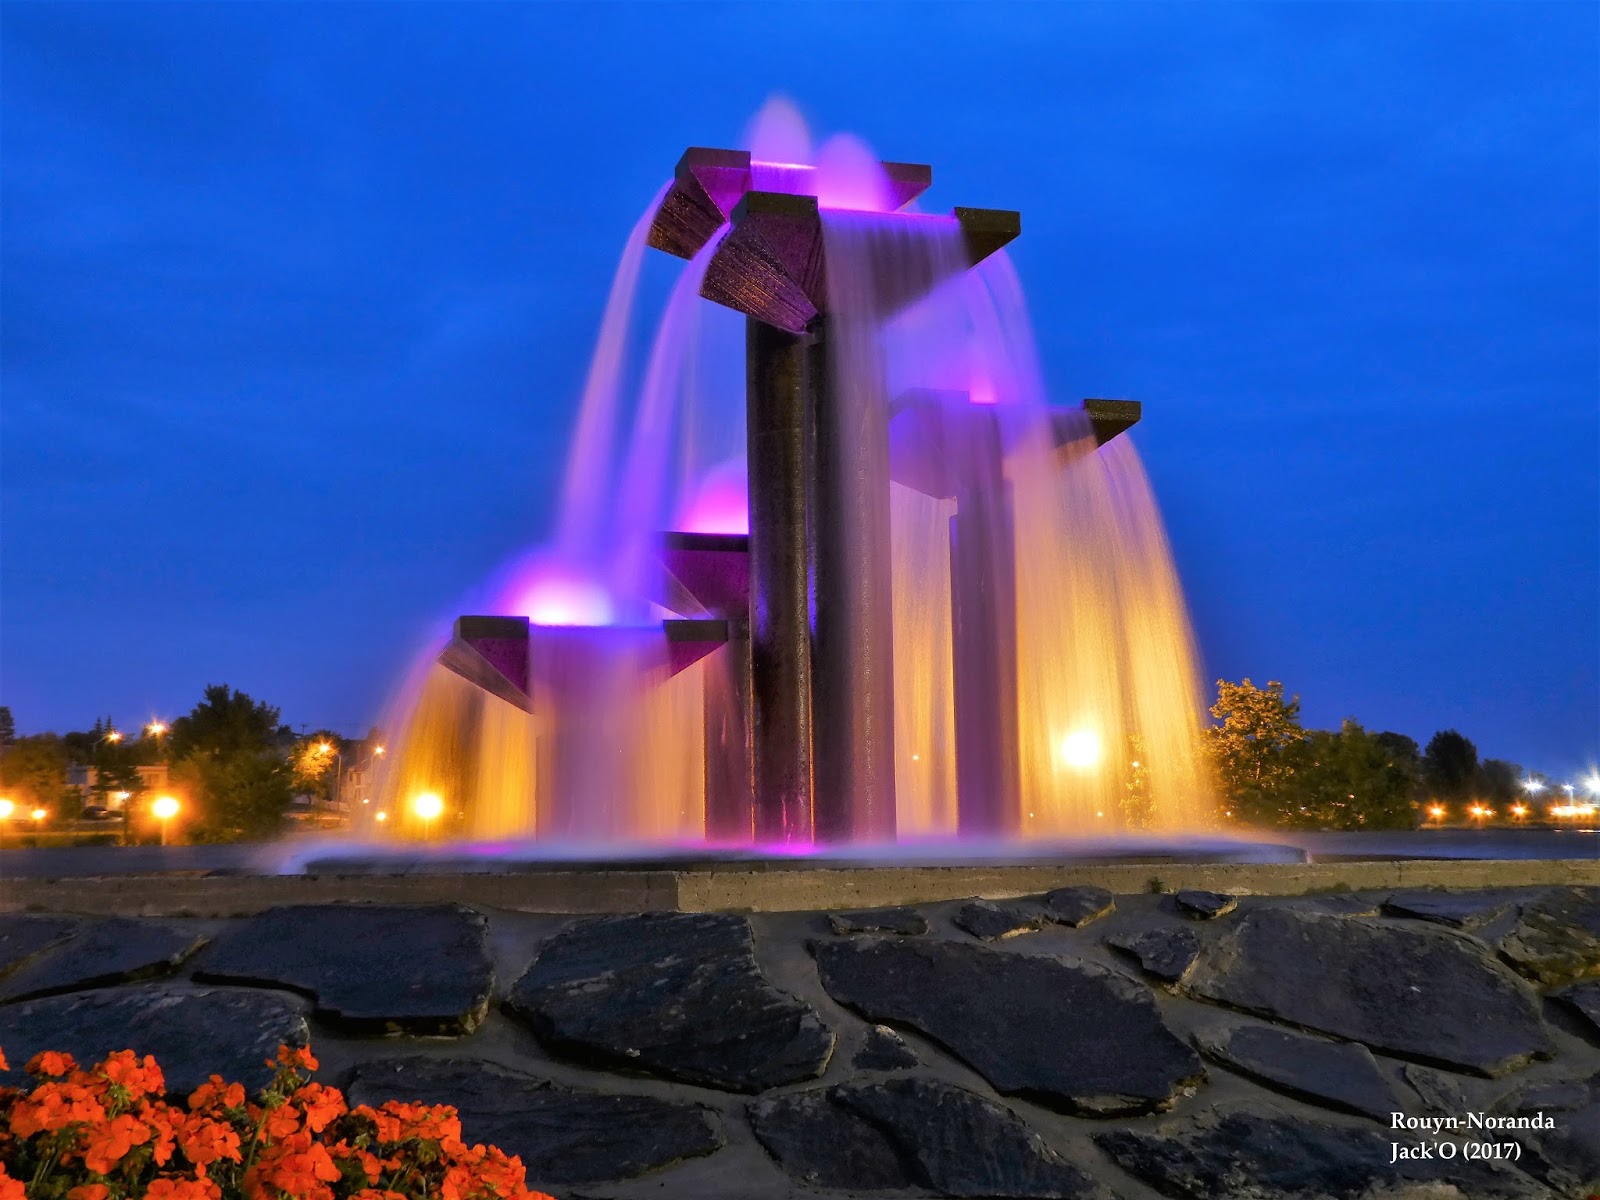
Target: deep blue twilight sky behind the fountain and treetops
{"points": [[298, 302]]}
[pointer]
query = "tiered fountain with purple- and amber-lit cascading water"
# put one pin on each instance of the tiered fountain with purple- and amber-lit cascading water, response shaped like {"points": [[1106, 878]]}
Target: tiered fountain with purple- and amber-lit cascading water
{"points": [[890, 594]]}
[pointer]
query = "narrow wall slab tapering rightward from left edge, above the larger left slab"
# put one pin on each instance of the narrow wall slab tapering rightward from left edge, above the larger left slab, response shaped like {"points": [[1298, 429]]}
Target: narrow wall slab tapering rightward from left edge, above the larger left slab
{"points": [[98, 954]]}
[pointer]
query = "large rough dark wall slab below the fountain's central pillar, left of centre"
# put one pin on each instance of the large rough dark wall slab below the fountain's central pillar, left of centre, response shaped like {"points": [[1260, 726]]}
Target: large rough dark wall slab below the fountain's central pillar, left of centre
{"points": [[673, 994]]}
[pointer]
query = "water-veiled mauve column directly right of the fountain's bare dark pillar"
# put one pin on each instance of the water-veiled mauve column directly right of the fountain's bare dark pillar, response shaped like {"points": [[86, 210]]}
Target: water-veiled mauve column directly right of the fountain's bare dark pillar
{"points": [[854, 617]]}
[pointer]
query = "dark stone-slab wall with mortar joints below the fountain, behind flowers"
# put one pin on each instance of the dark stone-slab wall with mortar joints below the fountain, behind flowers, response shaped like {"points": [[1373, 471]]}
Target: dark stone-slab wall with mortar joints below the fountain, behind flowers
{"points": [[1065, 1046]]}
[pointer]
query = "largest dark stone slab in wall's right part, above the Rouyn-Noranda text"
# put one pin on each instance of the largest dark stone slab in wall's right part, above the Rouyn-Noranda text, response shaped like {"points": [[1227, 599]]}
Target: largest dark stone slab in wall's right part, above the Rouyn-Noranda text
{"points": [[1423, 994]]}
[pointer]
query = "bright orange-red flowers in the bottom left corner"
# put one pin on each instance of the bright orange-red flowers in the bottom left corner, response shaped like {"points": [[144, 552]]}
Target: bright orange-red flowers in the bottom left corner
{"points": [[110, 1134]]}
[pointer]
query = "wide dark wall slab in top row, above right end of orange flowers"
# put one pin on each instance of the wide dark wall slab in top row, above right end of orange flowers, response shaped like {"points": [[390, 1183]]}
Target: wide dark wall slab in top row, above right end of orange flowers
{"points": [[372, 969]]}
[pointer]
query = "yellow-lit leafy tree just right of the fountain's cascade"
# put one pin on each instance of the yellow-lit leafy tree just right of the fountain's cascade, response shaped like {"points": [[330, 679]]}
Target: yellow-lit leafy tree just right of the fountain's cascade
{"points": [[1254, 750]]}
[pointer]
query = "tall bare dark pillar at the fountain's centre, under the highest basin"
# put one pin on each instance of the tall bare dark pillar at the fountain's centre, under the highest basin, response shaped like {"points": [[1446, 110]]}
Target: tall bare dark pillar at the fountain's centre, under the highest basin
{"points": [[782, 702]]}
